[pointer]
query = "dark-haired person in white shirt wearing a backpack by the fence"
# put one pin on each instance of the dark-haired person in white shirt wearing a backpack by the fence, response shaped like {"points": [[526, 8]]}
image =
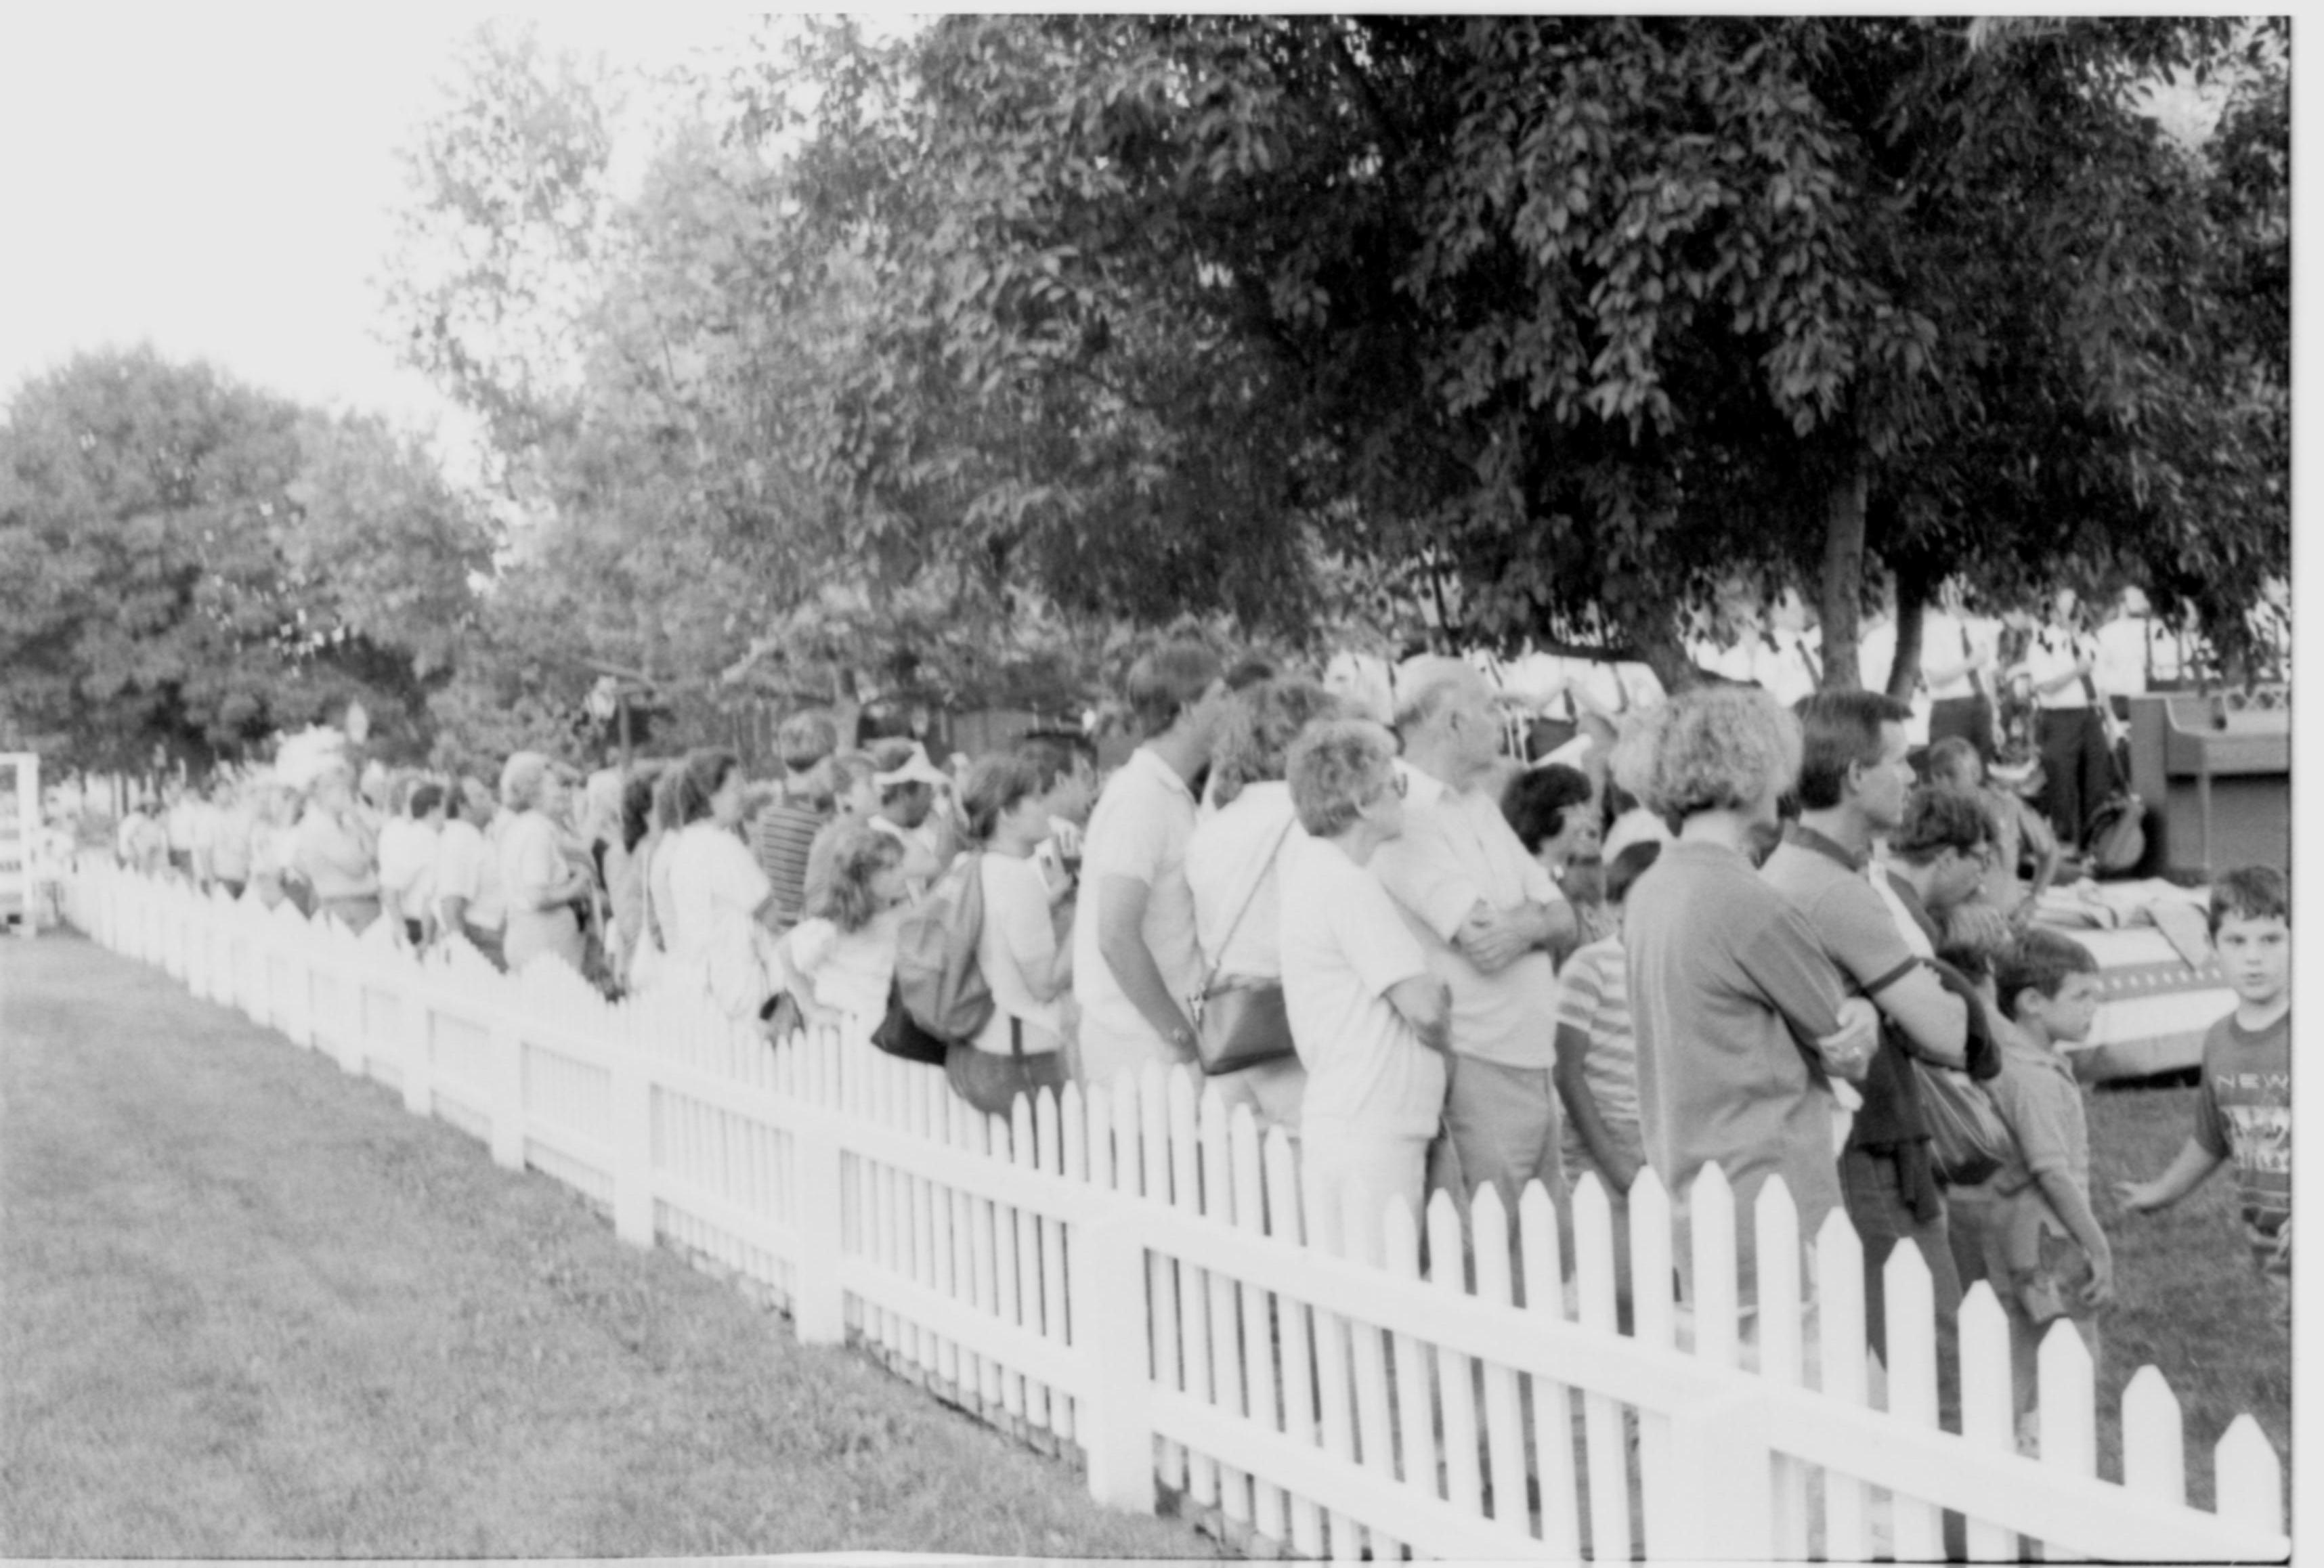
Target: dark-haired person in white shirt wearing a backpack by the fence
{"points": [[1019, 949]]}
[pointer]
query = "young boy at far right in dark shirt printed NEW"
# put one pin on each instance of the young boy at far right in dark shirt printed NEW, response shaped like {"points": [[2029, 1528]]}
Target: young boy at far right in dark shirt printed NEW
{"points": [[2244, 1109]]}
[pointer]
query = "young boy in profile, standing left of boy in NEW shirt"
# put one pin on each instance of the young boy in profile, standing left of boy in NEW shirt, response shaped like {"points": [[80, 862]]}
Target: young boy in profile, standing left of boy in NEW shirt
{"points": [[2030, 1230]]}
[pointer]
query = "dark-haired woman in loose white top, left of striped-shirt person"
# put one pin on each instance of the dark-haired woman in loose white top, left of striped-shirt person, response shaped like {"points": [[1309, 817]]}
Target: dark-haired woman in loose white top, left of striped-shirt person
{"points": [[717, 896]]}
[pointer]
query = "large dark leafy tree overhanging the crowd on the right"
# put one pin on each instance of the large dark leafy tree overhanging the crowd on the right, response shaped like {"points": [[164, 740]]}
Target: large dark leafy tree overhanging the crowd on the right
{"points": [[1565, 317]]}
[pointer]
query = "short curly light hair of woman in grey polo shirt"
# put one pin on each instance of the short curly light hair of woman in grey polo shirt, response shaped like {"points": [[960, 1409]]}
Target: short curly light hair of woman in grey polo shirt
{"points": [[1709, 749]]}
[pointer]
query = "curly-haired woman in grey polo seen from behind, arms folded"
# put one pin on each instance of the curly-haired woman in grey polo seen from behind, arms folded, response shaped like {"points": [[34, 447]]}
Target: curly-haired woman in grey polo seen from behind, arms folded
{"points": [[1746, 1042]]}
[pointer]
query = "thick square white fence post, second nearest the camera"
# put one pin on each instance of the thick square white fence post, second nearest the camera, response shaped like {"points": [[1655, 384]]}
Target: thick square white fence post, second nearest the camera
{"points": [[1112, 1339]]}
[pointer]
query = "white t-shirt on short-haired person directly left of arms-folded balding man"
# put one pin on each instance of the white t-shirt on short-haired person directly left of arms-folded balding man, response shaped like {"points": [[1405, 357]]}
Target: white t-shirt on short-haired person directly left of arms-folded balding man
{"points": [[1344, 949]]}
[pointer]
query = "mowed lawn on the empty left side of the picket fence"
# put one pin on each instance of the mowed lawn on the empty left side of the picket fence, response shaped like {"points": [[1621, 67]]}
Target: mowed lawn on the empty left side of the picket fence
{"points": [[254, 1309]]}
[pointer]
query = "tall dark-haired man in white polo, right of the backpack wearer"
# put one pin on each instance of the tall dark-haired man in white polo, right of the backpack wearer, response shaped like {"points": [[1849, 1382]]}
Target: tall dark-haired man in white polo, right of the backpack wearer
{"points": [[1135, 958]]}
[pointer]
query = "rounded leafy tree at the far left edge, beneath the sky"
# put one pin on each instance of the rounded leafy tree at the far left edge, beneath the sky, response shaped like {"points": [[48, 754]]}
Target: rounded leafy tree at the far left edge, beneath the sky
{"points": [[192, 566]]}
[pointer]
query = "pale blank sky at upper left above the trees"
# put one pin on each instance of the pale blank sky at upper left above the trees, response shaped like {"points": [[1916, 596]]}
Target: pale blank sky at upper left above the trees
{"points": [[222, 180]]}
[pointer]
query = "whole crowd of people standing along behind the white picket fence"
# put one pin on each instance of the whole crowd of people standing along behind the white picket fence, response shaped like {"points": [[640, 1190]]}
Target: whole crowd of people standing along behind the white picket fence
{"points": [[1779, 940]]}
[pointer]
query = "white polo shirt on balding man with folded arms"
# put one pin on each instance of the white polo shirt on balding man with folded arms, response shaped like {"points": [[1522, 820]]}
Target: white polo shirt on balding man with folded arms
{"points": [[1456, 854]]}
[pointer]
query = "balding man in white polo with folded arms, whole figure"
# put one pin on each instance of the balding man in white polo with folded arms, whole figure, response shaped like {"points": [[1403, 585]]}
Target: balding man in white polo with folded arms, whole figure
{"points": [[1486, 916]]}
